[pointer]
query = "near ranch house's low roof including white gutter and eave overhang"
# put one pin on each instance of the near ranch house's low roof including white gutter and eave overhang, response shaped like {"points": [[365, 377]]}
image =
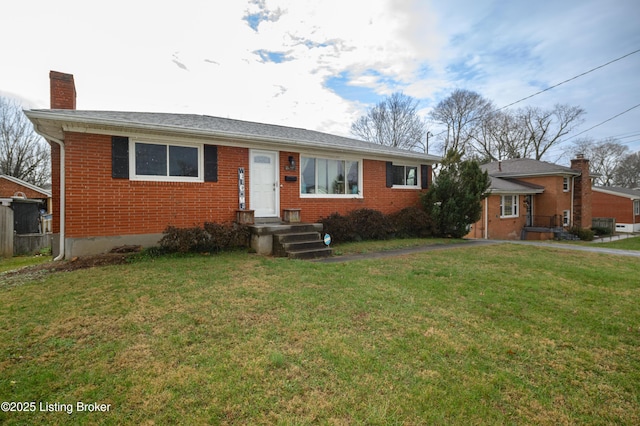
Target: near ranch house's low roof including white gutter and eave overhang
{"points": [[52, 122]]}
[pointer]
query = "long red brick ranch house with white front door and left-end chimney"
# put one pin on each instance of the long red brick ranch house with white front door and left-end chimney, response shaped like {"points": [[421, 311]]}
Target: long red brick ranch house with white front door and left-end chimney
{"points": [[121, 178]]}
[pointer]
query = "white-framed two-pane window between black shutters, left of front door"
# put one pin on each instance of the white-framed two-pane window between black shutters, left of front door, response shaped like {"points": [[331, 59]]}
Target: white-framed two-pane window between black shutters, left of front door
{"points": [[166, 162]]}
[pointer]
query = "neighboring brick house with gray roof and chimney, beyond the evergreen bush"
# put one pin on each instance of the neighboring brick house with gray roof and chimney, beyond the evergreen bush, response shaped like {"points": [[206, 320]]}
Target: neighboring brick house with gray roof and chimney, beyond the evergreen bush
{"points": [[530, 199]]}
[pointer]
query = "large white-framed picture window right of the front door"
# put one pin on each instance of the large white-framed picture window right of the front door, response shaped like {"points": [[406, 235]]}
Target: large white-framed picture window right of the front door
{"points": [[329, 177]]}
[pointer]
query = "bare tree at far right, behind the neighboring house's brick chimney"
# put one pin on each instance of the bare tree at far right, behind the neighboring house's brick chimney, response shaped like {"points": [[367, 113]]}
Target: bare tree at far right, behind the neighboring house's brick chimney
{"points": [[604, 157]]}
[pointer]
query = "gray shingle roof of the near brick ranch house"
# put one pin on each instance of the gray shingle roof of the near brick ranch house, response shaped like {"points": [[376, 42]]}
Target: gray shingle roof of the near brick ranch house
{"points": [[223, 127]]}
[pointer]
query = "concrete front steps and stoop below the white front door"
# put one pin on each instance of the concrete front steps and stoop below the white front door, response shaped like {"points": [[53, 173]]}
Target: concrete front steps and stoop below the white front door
{"points": [[296, 241]]}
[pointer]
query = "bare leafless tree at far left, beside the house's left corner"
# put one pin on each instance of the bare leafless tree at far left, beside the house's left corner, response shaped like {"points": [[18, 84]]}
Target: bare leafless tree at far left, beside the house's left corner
{"points": [[23, 154]]}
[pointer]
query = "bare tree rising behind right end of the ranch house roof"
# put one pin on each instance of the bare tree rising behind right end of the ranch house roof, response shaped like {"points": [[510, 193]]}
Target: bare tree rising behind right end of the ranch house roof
{"points": [[392, 122]]}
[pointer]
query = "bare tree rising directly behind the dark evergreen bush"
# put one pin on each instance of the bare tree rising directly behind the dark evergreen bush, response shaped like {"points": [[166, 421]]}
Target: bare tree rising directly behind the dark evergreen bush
{"points": [[462, 113]]}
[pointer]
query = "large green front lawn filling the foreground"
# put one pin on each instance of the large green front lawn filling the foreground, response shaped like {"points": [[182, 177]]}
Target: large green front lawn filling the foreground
{"points": [[501, 334]]}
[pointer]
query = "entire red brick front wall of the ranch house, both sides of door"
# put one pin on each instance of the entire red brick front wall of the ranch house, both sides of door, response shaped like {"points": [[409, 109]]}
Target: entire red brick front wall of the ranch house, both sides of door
{"points": [[98, 205]]}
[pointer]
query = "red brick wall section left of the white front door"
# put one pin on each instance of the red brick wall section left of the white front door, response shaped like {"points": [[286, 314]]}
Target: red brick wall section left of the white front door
{"points": [[98, 205]]}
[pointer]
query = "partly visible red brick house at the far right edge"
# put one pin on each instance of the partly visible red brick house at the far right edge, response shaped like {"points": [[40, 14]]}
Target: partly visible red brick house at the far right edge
{"points": [[623, 204]]}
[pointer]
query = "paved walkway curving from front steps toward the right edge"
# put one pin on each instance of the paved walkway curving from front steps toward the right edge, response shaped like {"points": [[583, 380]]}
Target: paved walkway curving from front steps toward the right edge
{"points": [[474, 243]]}
